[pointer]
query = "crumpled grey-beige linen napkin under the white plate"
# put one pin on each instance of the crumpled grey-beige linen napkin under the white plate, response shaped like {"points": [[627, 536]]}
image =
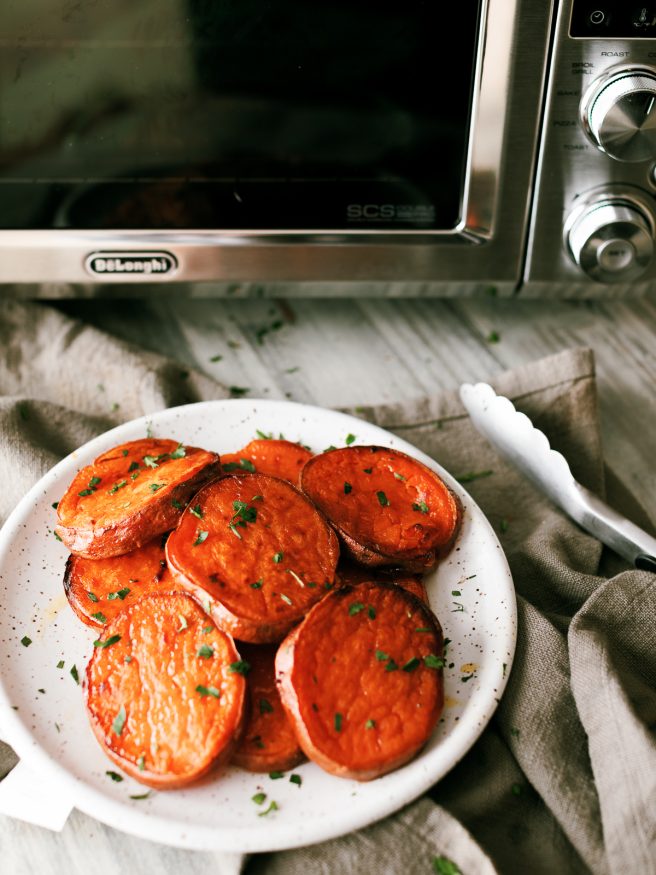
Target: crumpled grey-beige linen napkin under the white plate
{"points": [[564, 778]]}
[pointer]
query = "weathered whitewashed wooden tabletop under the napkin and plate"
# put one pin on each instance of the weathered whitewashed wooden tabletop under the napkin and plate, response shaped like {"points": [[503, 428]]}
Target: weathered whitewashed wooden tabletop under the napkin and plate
{"points": [[344, 352]]}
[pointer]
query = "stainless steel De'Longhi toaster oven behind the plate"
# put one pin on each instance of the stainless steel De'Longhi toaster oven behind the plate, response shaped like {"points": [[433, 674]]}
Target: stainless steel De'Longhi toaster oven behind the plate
{"points": [[448, 147]]}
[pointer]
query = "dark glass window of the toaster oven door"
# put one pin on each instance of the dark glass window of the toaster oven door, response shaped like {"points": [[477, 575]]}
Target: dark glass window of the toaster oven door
{"points": [[299, 115]]}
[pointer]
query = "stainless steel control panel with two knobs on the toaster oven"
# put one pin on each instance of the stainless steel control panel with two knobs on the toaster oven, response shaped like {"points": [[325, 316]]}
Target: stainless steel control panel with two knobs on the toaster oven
{"points": [[594, 212]]}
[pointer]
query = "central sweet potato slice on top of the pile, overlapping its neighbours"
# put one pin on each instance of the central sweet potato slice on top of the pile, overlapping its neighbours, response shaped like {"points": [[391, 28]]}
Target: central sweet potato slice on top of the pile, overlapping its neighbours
{"points": [[256, 552]]}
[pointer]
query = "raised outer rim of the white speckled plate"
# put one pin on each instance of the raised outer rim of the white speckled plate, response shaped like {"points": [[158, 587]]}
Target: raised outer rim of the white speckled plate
{"points": [[142, 824]]}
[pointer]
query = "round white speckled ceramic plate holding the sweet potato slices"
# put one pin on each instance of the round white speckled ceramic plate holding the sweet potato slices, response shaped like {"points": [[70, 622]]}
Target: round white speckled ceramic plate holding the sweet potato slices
{"points": [[41, 708]]}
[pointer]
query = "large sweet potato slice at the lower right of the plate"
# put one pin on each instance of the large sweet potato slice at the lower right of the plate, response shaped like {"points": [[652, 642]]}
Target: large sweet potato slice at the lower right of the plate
{"points": [[361, 679]]}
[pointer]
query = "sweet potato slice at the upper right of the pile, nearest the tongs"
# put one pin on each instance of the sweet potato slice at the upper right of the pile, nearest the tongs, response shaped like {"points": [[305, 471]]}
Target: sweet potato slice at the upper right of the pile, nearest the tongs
{"points": [[387, 508]]}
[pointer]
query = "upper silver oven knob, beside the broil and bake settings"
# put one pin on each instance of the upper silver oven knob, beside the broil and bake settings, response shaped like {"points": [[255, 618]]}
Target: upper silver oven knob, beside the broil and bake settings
{"points": [[619, 115]]}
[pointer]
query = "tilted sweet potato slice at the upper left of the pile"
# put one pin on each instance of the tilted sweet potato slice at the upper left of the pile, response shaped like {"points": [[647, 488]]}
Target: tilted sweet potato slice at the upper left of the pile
{"points": [[131, 494]]}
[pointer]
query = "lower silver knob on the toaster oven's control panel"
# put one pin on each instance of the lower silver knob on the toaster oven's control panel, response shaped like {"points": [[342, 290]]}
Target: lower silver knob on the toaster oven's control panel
{"points": [[611, 240]]}
